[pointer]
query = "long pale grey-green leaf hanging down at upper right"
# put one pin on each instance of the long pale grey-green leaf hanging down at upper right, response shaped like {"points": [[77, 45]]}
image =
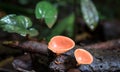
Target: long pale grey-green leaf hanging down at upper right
{"points": [[90, 13]]}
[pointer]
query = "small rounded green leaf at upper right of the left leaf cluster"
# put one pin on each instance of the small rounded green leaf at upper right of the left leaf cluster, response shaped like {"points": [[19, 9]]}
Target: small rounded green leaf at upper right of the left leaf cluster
{"points": [[24, 21]]}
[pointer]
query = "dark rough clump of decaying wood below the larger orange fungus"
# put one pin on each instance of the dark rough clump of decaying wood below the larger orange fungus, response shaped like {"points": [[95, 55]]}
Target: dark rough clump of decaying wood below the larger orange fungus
{"points": [[62, 63]]}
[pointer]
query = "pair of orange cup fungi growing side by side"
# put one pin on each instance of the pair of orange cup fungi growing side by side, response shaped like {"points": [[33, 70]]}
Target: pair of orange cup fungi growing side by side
{"points": [[62, 44]]}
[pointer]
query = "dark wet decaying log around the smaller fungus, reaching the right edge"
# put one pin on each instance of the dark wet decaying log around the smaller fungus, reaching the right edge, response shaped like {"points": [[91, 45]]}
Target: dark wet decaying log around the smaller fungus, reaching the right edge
{"points": [[106, 58]]}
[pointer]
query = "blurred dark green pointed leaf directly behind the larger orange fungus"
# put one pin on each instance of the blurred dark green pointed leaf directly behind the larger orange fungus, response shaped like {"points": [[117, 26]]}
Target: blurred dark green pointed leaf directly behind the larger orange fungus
{"points": [[66, 24]]}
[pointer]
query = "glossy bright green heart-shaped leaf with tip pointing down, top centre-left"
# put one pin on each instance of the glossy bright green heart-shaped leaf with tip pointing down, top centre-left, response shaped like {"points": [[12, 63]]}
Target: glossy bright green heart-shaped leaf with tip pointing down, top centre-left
{"points": [[45, 10]]}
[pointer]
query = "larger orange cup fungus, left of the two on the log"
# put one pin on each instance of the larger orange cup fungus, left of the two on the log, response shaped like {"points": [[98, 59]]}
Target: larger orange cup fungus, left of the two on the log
{"points": [[60, 44]]}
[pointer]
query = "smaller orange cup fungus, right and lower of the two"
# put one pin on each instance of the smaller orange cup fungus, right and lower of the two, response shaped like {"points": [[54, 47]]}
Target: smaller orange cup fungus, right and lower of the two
{"points": [[83, 56]]}
